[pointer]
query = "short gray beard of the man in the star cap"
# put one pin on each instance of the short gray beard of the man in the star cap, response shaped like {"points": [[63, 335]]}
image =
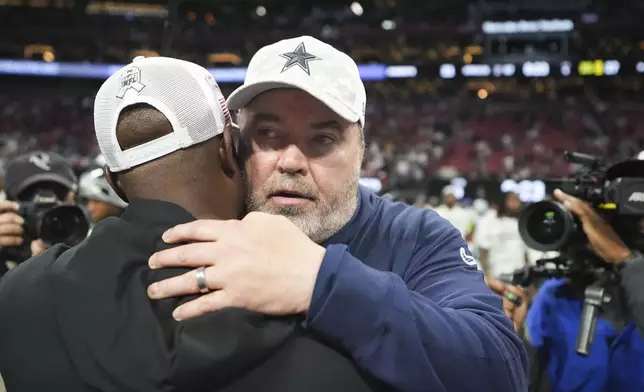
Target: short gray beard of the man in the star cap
{"points": [[319, 221]]}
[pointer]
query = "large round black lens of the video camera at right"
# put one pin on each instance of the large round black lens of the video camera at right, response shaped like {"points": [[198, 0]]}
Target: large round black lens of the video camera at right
{"points": [[547, 226]]}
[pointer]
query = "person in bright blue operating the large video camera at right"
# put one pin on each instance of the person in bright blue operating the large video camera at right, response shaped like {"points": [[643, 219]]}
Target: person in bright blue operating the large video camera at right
{"points": [[616, 358]]}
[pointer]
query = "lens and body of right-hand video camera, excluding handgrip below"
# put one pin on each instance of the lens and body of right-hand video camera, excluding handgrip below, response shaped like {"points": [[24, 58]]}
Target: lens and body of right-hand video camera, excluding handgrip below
{"points": [[616, 191]]}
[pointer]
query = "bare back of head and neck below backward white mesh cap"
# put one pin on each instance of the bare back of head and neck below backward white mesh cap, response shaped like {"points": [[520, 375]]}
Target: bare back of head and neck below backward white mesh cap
{"points": [[202, 178]]}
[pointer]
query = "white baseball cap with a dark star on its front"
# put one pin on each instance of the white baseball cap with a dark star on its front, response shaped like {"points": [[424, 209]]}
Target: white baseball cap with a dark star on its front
{"points": [[310, 65]]}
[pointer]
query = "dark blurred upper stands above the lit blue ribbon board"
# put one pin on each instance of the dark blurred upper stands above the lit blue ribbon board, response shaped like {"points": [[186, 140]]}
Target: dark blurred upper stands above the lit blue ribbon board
{"points": [[229, 32]]}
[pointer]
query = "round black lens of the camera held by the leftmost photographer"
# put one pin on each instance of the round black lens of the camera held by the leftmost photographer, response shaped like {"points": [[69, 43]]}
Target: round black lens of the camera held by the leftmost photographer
{"points": [[64, 224]]}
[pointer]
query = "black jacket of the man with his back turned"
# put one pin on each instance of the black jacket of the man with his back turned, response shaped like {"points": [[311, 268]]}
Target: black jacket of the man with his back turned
{"points": [[79, 319]]}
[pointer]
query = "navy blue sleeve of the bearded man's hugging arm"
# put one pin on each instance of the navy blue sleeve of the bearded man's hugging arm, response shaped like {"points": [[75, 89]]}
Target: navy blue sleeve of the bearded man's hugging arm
{"points": [[436, 328]]}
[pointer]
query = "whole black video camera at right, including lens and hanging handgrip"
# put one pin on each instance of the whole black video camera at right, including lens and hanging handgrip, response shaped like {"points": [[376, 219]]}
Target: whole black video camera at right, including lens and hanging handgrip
{"points": [[617, 194]]}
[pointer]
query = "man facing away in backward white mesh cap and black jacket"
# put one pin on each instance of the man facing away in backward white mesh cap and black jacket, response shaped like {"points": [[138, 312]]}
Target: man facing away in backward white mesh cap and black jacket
{"points": [[80, 318]]}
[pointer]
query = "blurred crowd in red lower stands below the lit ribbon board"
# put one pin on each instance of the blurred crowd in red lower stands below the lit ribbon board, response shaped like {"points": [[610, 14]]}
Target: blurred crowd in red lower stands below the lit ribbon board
{"points": [[415, 129]]}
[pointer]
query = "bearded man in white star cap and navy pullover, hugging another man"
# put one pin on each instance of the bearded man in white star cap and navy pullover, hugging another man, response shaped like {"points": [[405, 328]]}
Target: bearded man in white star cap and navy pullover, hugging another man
{"points": [[393, 286]]}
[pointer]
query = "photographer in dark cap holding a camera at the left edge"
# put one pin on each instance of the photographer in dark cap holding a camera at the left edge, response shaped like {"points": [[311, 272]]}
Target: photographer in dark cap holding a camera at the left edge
{"points": [[29, 178]]}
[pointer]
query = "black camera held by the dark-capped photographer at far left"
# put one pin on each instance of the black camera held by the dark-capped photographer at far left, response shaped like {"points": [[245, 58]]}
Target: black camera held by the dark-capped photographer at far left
{"points": [[48, 219]]}
